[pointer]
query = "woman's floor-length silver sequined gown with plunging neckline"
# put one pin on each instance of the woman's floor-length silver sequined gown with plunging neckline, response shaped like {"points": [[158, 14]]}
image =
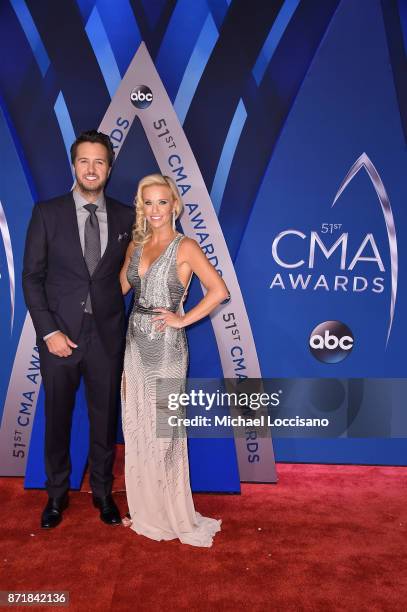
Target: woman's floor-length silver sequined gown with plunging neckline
{"points": [[156, 468]]}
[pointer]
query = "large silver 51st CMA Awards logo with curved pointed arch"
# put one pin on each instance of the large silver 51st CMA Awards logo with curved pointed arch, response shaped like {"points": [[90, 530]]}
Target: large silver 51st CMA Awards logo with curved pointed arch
{"points": [[348, 277]]}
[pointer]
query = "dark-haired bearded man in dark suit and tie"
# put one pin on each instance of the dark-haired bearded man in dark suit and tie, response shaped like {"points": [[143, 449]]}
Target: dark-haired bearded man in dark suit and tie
{"points": [[74, 250]]}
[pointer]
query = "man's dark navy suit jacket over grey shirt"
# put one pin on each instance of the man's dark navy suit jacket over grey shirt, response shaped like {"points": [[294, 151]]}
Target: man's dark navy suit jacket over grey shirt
{"points": [[56, 280]]}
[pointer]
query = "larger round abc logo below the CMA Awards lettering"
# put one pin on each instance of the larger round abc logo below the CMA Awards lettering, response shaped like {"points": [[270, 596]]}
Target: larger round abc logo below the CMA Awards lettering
{"points": [[331, 341]]}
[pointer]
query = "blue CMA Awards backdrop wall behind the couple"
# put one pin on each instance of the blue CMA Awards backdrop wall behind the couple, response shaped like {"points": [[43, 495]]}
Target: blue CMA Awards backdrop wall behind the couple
{"points": [[284, 124]]}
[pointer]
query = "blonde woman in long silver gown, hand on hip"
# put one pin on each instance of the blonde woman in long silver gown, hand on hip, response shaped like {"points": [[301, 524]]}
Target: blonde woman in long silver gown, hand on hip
{"points": [[158, 267]]}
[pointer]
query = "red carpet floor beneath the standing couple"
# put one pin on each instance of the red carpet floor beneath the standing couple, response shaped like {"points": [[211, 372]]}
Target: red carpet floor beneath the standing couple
{"points": [[325, 538]]}
